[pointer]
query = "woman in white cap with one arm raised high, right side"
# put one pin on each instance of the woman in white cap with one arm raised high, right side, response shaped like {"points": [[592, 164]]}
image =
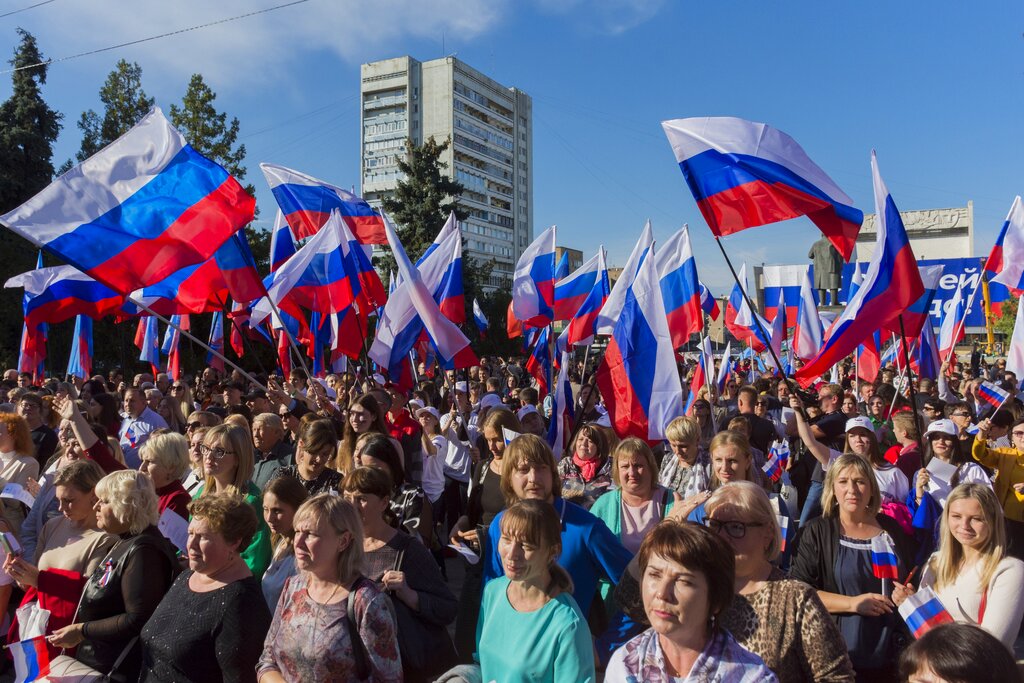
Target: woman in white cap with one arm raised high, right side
{"points": [[861, 441]]}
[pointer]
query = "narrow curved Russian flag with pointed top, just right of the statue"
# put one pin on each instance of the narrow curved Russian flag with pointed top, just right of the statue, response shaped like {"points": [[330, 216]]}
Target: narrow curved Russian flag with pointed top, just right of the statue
{"points": [[892, 284]]}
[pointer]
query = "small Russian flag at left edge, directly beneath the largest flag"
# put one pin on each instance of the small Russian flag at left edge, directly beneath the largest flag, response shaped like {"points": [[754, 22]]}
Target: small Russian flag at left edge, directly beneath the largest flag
{"points": [[61, 293]]}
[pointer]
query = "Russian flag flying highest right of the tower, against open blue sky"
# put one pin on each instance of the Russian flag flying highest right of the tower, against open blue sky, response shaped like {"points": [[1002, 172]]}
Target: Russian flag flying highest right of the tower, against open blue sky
{"points": [[745, 175]]}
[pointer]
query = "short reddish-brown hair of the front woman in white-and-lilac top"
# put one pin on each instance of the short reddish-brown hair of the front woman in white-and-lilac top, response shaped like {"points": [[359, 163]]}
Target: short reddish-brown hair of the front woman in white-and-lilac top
{"points": [[698, 549]]}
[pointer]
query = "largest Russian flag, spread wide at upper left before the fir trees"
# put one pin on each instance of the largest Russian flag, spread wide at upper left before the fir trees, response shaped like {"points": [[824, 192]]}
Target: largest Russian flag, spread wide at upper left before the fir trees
{"points": [[144, 207]]}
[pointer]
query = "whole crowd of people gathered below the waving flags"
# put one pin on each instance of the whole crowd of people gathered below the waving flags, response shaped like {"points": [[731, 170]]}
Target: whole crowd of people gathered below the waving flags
{"points": [[325, 516]]}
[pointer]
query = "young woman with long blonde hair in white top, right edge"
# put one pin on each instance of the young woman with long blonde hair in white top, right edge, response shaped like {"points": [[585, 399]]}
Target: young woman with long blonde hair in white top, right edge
{"points": [[971, 574]]}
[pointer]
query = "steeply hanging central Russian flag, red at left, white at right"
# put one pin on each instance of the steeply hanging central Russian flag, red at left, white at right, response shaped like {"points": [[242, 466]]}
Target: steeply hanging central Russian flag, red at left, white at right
{"points": [[638, 377]]}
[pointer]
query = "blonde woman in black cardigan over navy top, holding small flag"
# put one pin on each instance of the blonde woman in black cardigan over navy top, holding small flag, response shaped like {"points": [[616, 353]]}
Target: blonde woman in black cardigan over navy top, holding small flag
{"points": [[834, 557]]}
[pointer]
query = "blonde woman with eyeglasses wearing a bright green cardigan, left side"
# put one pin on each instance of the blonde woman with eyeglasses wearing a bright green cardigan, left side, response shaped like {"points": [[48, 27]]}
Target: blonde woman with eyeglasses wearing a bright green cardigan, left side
{"points": [[228, 465]]}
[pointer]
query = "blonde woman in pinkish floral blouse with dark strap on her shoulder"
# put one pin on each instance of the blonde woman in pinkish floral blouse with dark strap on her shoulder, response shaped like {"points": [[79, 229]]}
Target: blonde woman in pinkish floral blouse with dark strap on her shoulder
{"points": [[312, 636]]}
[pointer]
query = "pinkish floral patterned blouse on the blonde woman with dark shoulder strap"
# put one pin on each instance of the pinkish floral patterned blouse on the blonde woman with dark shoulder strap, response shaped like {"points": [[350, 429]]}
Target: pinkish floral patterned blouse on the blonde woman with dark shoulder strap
{"points": [[309, 642]]}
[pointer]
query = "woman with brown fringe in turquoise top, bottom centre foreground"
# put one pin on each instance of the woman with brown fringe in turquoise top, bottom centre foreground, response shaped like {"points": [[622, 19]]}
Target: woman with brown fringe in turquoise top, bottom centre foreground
{"points": [[531, 629]]}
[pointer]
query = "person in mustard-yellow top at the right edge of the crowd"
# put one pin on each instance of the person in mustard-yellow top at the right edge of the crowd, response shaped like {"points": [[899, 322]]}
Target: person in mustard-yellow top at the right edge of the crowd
{"points": [[1009, 485]]}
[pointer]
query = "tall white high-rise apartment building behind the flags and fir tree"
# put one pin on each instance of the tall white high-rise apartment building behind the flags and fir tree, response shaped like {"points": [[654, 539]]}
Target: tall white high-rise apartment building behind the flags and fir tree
{"points": [[491, 129]]}
